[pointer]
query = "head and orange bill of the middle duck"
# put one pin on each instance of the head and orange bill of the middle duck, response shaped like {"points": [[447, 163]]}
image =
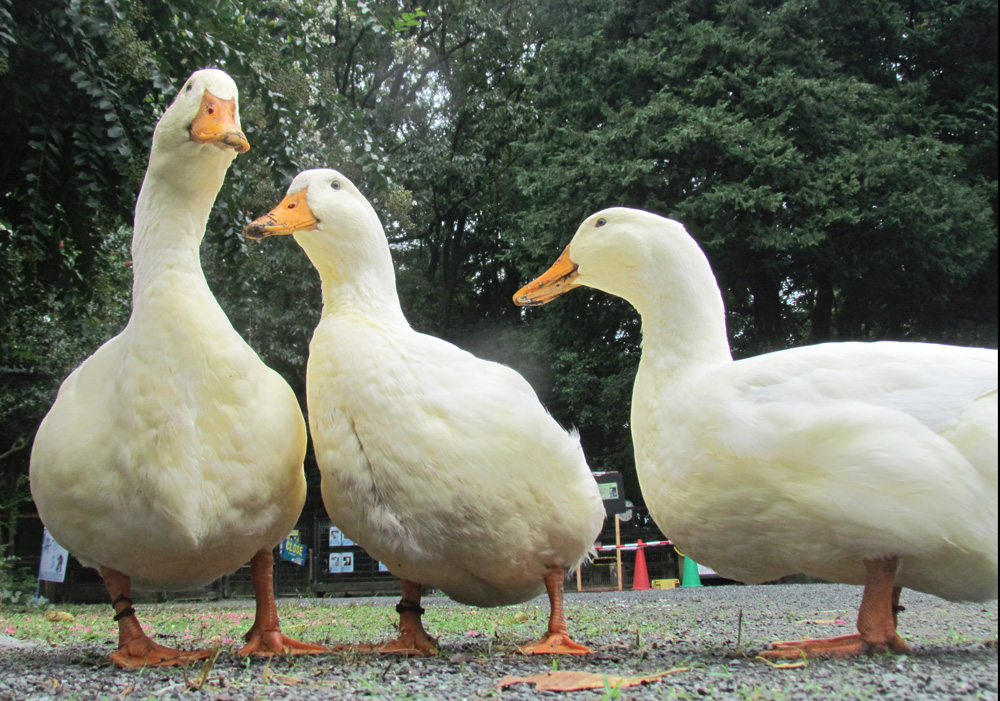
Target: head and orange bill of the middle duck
{"points": [[335, 225]]}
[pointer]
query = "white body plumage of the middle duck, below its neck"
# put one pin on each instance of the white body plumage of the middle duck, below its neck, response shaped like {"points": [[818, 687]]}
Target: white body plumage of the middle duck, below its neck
{"points": [[444, 466]]}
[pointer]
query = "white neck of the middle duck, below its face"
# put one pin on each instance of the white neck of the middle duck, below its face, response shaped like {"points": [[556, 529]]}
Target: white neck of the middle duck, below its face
{"points": [[355, 270]]}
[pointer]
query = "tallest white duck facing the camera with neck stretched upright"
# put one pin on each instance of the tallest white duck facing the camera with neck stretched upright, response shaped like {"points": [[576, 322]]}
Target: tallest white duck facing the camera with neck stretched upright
{"points": [[173, 455]]}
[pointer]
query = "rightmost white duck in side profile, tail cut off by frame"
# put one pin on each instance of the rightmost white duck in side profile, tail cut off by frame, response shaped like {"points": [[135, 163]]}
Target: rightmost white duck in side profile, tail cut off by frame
{"points": [[864, 463]]}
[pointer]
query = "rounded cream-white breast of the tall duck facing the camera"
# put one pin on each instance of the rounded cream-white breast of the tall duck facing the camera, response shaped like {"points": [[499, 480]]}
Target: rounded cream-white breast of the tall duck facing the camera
{"points": [[171, 453]]}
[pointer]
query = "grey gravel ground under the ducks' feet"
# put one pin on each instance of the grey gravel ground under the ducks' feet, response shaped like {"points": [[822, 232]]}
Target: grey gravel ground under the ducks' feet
{"points": [[631, 633]]}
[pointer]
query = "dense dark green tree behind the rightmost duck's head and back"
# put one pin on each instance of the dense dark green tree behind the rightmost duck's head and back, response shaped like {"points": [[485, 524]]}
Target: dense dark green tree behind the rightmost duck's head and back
{"points": [[812, 171]]}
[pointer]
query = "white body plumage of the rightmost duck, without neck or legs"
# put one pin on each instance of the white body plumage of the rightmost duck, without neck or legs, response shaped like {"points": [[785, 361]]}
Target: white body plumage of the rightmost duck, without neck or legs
{"points": [[823, 456]]}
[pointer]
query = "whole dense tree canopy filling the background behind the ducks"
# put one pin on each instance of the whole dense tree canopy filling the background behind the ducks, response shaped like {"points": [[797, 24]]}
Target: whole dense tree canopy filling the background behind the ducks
{"points": [[836, 160]]}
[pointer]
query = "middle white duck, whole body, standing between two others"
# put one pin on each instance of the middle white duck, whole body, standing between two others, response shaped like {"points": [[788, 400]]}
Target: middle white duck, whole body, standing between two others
{"points": [[444, 467]]}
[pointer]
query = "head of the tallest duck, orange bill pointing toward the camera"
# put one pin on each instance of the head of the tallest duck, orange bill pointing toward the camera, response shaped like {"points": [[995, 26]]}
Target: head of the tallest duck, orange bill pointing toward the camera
{"points": [[203, 122]]}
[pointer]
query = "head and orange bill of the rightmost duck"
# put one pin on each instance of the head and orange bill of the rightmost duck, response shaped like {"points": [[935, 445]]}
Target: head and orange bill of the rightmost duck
{"points": [[629, 253]]}
